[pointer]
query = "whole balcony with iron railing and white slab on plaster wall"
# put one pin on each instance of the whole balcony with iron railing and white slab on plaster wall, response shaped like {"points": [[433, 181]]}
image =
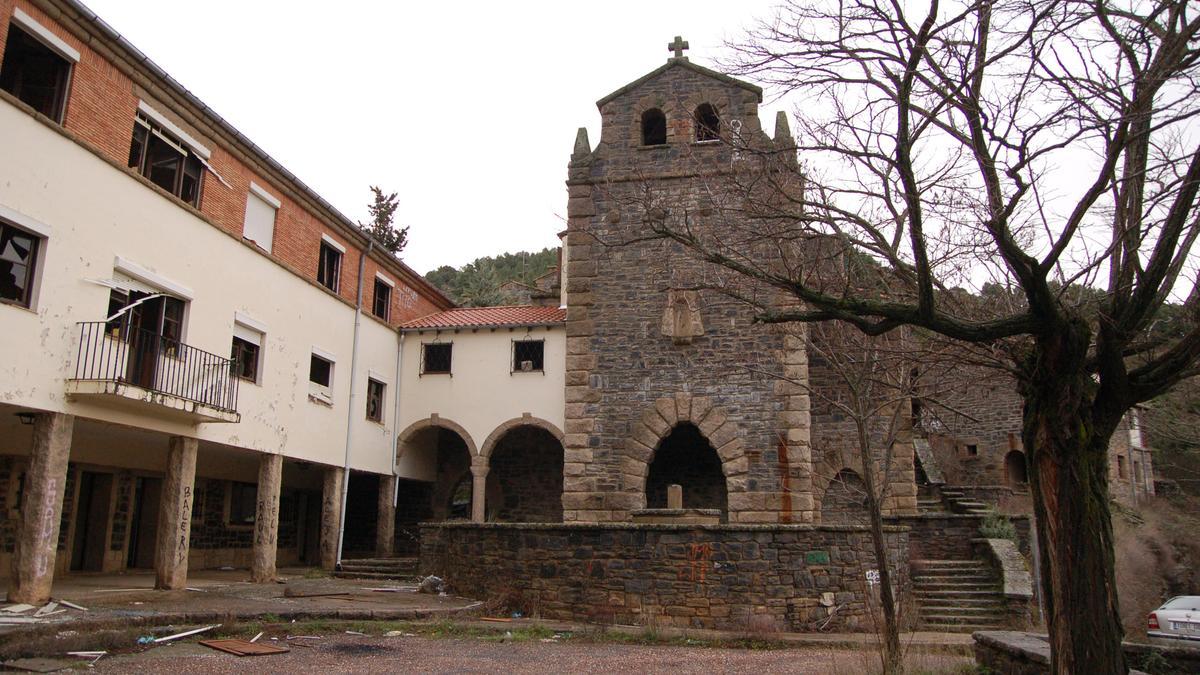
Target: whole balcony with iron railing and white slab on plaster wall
{"points": [[141, 369]]}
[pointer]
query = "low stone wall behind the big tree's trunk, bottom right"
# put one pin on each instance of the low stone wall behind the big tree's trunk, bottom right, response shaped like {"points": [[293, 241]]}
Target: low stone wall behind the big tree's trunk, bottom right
{"points": [[1029, 654]]}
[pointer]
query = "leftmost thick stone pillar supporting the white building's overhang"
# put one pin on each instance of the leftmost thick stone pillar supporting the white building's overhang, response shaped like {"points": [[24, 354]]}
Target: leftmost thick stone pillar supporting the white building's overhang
{"points": [[41, 510]]}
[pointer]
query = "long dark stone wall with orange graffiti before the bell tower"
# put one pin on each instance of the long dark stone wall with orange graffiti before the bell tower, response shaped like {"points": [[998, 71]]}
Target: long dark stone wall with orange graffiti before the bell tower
{"points": [[703, 577]]}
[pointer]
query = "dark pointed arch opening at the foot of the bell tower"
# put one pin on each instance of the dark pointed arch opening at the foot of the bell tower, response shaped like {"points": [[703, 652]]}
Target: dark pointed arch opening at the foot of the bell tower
{"points": [[686, 458]]}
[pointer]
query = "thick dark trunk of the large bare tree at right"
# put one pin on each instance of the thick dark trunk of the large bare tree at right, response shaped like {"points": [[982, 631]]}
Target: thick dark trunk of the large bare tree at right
{"points": [[1069, 455]]}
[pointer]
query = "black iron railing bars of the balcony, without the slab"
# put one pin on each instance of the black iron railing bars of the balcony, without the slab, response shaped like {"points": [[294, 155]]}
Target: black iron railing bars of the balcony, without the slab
{"points": [[116, 353]]}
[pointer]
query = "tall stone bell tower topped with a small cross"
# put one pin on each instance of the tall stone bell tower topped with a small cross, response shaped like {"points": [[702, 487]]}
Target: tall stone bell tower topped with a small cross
{"points": [[668, 380]]}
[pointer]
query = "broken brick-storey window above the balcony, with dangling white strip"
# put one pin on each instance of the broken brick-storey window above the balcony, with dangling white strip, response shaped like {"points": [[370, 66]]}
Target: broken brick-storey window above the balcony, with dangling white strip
{"points": [[165, 160]]}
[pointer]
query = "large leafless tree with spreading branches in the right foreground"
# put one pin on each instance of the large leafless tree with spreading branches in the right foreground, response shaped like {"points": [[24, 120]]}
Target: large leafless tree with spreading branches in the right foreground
{"points": [[1019, 176]]}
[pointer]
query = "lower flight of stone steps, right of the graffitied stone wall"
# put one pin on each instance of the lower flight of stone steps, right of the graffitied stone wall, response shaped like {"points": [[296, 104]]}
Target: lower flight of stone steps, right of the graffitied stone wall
{"points": [[957, 596]]}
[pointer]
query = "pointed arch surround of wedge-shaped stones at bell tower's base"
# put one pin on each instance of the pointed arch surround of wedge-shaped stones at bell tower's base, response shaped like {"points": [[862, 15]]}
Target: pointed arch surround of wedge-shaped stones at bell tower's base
{"points": [[661, 420]]}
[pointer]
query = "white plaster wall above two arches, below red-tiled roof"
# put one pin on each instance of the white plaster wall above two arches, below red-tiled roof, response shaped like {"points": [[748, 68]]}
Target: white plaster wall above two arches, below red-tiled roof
{"points": [[482, 393]]}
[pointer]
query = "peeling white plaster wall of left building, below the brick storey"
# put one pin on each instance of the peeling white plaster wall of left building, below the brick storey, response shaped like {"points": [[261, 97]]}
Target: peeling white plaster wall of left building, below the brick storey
{"points": [[95, 213]]}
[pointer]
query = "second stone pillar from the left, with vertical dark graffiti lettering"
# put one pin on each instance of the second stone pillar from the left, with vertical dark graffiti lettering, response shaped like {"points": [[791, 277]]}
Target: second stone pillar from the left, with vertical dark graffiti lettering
{"points": [[176, 516]]}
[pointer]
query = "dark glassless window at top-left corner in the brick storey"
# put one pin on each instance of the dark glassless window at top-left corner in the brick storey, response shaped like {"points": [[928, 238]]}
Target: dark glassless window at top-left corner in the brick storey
{"points": [[35, 74]]}
